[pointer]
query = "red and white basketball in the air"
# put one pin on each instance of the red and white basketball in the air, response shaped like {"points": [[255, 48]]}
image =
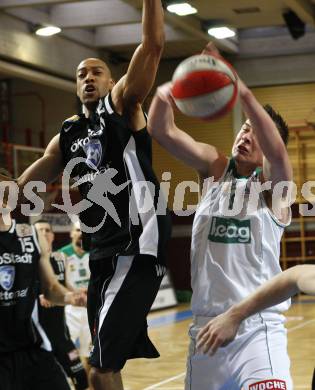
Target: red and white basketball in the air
{"points": [[204, 86]]}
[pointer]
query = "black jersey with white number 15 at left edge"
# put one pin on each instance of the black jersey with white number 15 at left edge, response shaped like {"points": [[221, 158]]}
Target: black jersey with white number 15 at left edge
{"points": [[19, 259]]}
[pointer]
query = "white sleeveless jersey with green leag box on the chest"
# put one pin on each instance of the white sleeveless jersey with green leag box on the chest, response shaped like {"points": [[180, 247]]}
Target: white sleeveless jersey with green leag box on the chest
{"points": [[235, 245]]}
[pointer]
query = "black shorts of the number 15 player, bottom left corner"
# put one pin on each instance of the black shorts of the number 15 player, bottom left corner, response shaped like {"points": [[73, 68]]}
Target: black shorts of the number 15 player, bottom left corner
{"points": [[33, 369]]}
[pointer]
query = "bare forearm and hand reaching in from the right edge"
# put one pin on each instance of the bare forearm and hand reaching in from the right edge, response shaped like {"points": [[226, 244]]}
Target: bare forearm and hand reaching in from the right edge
{"points": [[222, 329]]}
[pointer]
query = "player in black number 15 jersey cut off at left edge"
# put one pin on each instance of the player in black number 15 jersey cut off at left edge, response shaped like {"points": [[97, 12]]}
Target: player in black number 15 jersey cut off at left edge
{"points": [[26, 360]]}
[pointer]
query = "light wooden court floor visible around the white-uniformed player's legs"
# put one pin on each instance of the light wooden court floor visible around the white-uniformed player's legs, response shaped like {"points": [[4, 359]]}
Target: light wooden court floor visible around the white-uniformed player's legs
{"points": [[168, 331]]}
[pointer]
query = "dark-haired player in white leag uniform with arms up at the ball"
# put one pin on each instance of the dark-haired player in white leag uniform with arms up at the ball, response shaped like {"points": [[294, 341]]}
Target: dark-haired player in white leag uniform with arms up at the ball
{"points": [[231, 256]]}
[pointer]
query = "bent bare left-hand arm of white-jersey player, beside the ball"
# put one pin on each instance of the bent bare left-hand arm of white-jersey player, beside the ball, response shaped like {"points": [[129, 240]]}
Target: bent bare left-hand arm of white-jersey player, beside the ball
{"points": [[161, 125]]}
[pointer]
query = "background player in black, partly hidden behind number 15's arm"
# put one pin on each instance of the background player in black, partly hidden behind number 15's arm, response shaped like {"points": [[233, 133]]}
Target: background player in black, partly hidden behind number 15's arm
{"points": [[53, 320]]}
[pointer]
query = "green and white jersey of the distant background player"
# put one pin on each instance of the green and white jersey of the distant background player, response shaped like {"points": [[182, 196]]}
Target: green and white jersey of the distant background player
{"points": [[77, 267]]}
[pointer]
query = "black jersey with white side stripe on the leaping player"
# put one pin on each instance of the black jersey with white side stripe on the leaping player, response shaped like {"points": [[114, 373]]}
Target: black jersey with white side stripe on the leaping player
{"points": [[115, 163]]}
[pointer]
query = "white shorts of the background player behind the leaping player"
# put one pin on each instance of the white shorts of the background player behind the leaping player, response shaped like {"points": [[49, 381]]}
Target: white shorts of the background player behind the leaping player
{"points": [[77, 321]]}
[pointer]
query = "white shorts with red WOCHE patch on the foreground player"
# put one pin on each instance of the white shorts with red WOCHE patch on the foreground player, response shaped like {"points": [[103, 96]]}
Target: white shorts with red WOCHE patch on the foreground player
{"points": [[256, 360]]}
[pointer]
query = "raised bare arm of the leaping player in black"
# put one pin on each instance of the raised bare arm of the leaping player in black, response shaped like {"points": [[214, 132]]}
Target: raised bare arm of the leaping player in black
{"points": [[133, 88]]}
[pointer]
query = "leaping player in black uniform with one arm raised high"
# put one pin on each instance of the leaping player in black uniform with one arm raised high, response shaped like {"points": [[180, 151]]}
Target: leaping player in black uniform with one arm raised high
{"points": [[127, 252]]}
